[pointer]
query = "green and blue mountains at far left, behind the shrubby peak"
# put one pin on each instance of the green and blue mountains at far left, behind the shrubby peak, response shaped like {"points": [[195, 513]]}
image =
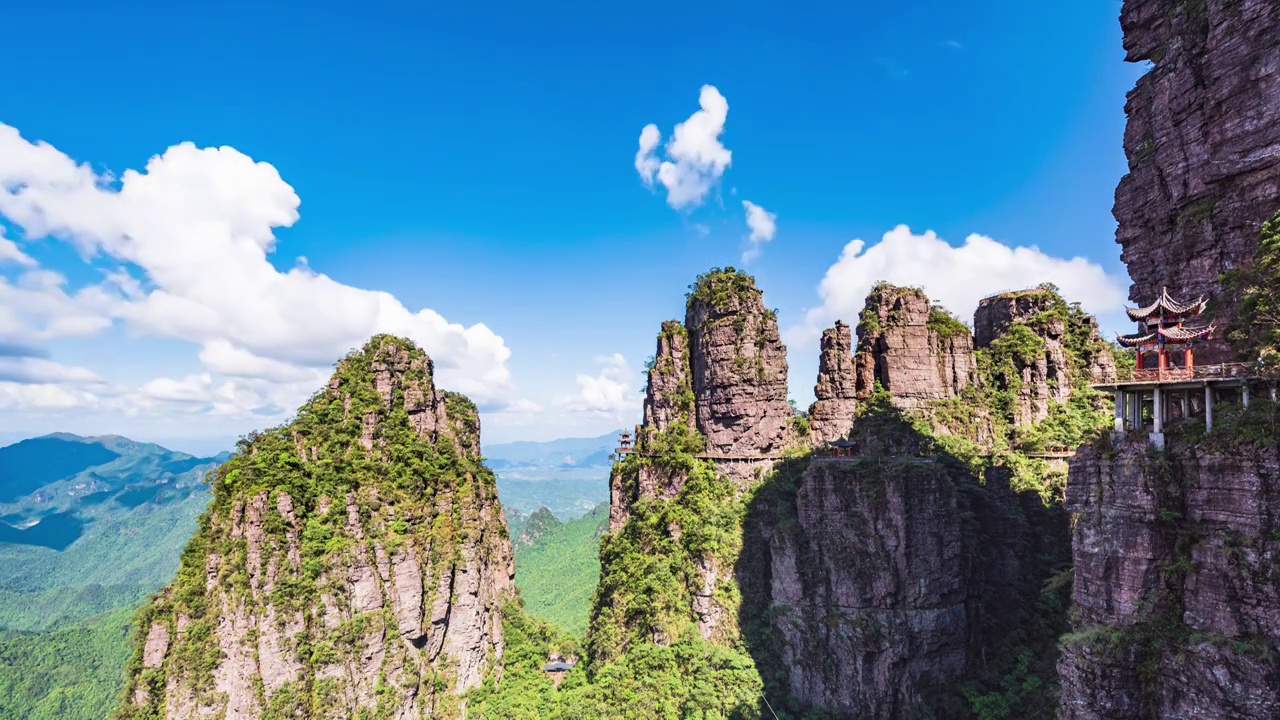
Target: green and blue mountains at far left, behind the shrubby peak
{"points": [[89, 527]]}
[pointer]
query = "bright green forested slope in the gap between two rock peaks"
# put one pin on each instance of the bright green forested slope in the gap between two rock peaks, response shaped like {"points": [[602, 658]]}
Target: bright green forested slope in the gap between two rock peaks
{"points": [[557, 572]]}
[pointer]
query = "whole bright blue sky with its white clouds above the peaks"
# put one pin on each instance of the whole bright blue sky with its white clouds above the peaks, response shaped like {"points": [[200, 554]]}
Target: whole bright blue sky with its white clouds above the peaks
{"points": [[479, 161]]}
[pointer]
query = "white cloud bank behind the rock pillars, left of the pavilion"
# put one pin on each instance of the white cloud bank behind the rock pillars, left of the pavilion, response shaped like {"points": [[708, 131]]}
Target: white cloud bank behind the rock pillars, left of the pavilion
{"points": [[957, 277]]}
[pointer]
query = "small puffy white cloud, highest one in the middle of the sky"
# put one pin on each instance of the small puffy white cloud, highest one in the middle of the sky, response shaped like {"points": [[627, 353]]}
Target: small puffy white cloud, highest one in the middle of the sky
{"points": [[696, 160]]}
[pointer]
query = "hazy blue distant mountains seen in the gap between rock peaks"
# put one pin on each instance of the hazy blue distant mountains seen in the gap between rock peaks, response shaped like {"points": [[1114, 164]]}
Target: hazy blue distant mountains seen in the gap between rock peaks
{"points": [[570, 477]]}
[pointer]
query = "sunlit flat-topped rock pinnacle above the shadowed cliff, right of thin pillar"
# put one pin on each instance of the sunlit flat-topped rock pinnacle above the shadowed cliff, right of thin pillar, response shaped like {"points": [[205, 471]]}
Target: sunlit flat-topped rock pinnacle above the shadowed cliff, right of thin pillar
{"points": [[915, 359]]}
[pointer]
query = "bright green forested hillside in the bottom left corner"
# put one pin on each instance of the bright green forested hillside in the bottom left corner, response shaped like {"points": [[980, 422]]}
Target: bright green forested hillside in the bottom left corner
{"points": [[72, 673]]}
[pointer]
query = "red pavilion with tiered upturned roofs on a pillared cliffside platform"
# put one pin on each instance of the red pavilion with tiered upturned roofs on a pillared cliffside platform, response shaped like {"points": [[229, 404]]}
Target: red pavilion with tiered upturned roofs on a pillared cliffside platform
{"points": [[1167, 375]]}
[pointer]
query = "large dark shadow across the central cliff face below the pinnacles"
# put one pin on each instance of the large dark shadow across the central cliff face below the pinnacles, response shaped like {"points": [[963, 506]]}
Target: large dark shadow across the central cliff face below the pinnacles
{"points": [[895, 585]]}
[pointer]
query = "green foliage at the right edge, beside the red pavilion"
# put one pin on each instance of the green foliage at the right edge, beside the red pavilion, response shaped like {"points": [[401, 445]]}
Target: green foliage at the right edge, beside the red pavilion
{"points": [[1255, 327]]}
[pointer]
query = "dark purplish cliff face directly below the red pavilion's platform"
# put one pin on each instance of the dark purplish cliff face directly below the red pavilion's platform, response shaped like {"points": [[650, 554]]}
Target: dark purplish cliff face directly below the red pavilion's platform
{"points": [[1177, 589]]}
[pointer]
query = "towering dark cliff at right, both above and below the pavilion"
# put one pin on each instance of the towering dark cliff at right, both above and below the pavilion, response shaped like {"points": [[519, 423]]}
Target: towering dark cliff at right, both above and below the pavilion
{"points": [[1176, 582]]}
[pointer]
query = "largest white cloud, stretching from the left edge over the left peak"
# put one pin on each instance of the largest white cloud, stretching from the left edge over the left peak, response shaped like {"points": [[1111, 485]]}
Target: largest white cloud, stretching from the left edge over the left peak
{"points": [[200, 226]]}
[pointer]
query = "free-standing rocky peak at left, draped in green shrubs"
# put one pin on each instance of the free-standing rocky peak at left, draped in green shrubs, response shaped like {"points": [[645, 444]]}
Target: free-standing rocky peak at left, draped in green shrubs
{"points": [[351, 564]]}
